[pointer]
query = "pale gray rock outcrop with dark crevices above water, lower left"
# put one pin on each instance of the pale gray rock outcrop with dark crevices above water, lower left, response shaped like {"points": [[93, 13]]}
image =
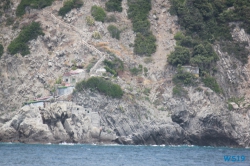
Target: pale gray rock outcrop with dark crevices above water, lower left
{"points": [[59, 122]]}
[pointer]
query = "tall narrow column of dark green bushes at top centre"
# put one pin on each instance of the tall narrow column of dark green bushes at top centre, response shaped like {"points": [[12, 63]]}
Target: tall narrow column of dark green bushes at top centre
{"points": [[145, 41]]}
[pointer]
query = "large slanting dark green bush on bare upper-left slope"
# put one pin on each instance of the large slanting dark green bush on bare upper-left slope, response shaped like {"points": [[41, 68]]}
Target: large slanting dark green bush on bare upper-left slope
{"points": [[19, 44]]}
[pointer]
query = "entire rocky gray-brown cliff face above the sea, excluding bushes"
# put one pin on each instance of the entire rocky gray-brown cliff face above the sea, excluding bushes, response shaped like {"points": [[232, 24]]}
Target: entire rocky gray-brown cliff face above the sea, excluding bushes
{"points": [[148, 113]]}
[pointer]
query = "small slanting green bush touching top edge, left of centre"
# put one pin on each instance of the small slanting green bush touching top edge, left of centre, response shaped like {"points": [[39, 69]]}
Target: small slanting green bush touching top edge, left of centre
{"points": [[68, 5]]}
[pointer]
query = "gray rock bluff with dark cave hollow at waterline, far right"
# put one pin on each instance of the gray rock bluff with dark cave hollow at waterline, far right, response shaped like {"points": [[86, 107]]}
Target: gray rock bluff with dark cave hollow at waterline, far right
{"points": [[209, 128]]}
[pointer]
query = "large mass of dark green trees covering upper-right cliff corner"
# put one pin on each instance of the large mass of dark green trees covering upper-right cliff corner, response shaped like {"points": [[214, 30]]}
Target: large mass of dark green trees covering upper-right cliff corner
{"points": [[204, 23]]}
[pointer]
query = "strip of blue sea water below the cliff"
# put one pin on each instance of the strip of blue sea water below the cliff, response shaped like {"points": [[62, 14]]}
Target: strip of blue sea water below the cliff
{"points": [[116, 155]]}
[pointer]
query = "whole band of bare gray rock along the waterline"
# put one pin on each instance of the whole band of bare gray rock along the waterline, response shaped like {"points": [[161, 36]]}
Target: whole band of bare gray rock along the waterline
{"points": [[94, 118]]}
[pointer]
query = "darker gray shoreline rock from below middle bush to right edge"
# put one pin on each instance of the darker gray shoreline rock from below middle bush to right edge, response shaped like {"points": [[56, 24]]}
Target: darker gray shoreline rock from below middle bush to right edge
{"points": [[134, 123]]}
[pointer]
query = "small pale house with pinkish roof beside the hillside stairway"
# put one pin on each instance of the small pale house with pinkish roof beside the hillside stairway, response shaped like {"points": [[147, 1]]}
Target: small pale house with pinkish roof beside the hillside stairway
{"points": [[74, 76]]}
